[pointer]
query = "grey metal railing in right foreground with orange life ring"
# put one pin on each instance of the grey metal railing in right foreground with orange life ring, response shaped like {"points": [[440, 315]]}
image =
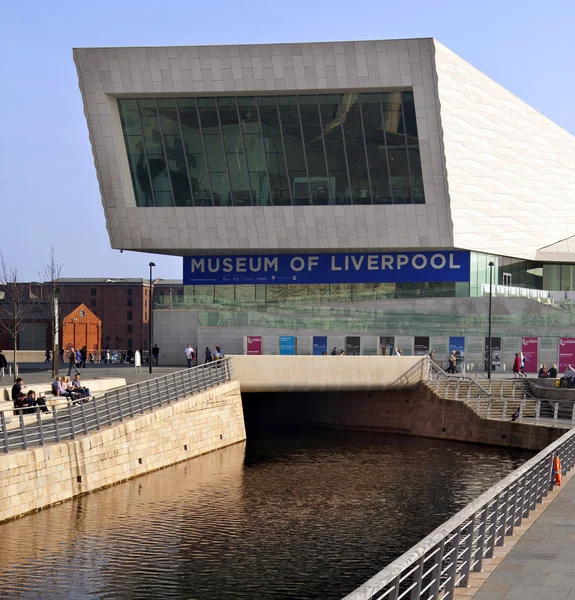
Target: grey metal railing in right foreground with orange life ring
{"points": [[443, 560]]}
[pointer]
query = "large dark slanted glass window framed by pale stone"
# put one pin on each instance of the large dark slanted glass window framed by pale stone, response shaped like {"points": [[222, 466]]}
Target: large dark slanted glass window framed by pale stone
{"points": [[273, 150]]}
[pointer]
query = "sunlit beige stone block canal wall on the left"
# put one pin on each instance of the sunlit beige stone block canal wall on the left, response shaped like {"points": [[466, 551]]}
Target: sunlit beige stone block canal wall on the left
{"points": [[36, 478]]}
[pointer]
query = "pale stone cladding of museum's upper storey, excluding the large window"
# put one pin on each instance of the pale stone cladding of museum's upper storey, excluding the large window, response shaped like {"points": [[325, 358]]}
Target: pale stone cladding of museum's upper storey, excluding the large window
{"points": [[485, 155]]}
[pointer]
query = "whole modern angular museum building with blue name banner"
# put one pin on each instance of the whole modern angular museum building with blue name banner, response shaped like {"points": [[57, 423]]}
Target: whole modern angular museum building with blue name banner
{"points": [[349, 194]]}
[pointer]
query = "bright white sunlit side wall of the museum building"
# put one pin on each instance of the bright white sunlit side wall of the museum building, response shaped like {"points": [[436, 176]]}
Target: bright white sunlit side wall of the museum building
{"points": [[510, 170]]}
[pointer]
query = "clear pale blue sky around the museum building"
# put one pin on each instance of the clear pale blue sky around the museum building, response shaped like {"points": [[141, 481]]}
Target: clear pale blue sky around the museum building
{"points": [[48, 188]]}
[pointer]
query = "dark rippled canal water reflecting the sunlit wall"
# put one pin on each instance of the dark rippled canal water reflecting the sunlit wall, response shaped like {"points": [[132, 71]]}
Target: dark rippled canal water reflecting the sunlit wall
{"points": [[304, 514]]}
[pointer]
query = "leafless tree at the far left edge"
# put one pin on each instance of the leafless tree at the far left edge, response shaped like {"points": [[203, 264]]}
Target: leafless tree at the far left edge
{"points": [[15, 304]]}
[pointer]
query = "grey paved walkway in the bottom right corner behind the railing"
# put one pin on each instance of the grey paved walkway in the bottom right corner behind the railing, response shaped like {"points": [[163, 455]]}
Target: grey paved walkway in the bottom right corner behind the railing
{"points": [[541, 562]]}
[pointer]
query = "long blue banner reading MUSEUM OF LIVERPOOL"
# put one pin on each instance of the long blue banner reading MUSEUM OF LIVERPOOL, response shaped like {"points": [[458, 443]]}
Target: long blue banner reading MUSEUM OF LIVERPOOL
{"points": [[369, 267]]}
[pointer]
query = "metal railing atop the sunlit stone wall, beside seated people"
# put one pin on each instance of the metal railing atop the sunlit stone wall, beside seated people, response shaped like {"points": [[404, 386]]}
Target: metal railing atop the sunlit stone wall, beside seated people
{"points": [[20, 431]]}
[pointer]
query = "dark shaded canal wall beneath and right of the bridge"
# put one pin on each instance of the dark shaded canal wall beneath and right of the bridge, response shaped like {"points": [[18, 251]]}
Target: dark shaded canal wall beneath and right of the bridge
{"points": [[419, 412]]}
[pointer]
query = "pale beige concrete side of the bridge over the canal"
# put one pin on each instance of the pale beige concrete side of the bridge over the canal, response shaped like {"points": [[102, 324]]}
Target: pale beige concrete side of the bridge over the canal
{"points": [[315, 373]]}
